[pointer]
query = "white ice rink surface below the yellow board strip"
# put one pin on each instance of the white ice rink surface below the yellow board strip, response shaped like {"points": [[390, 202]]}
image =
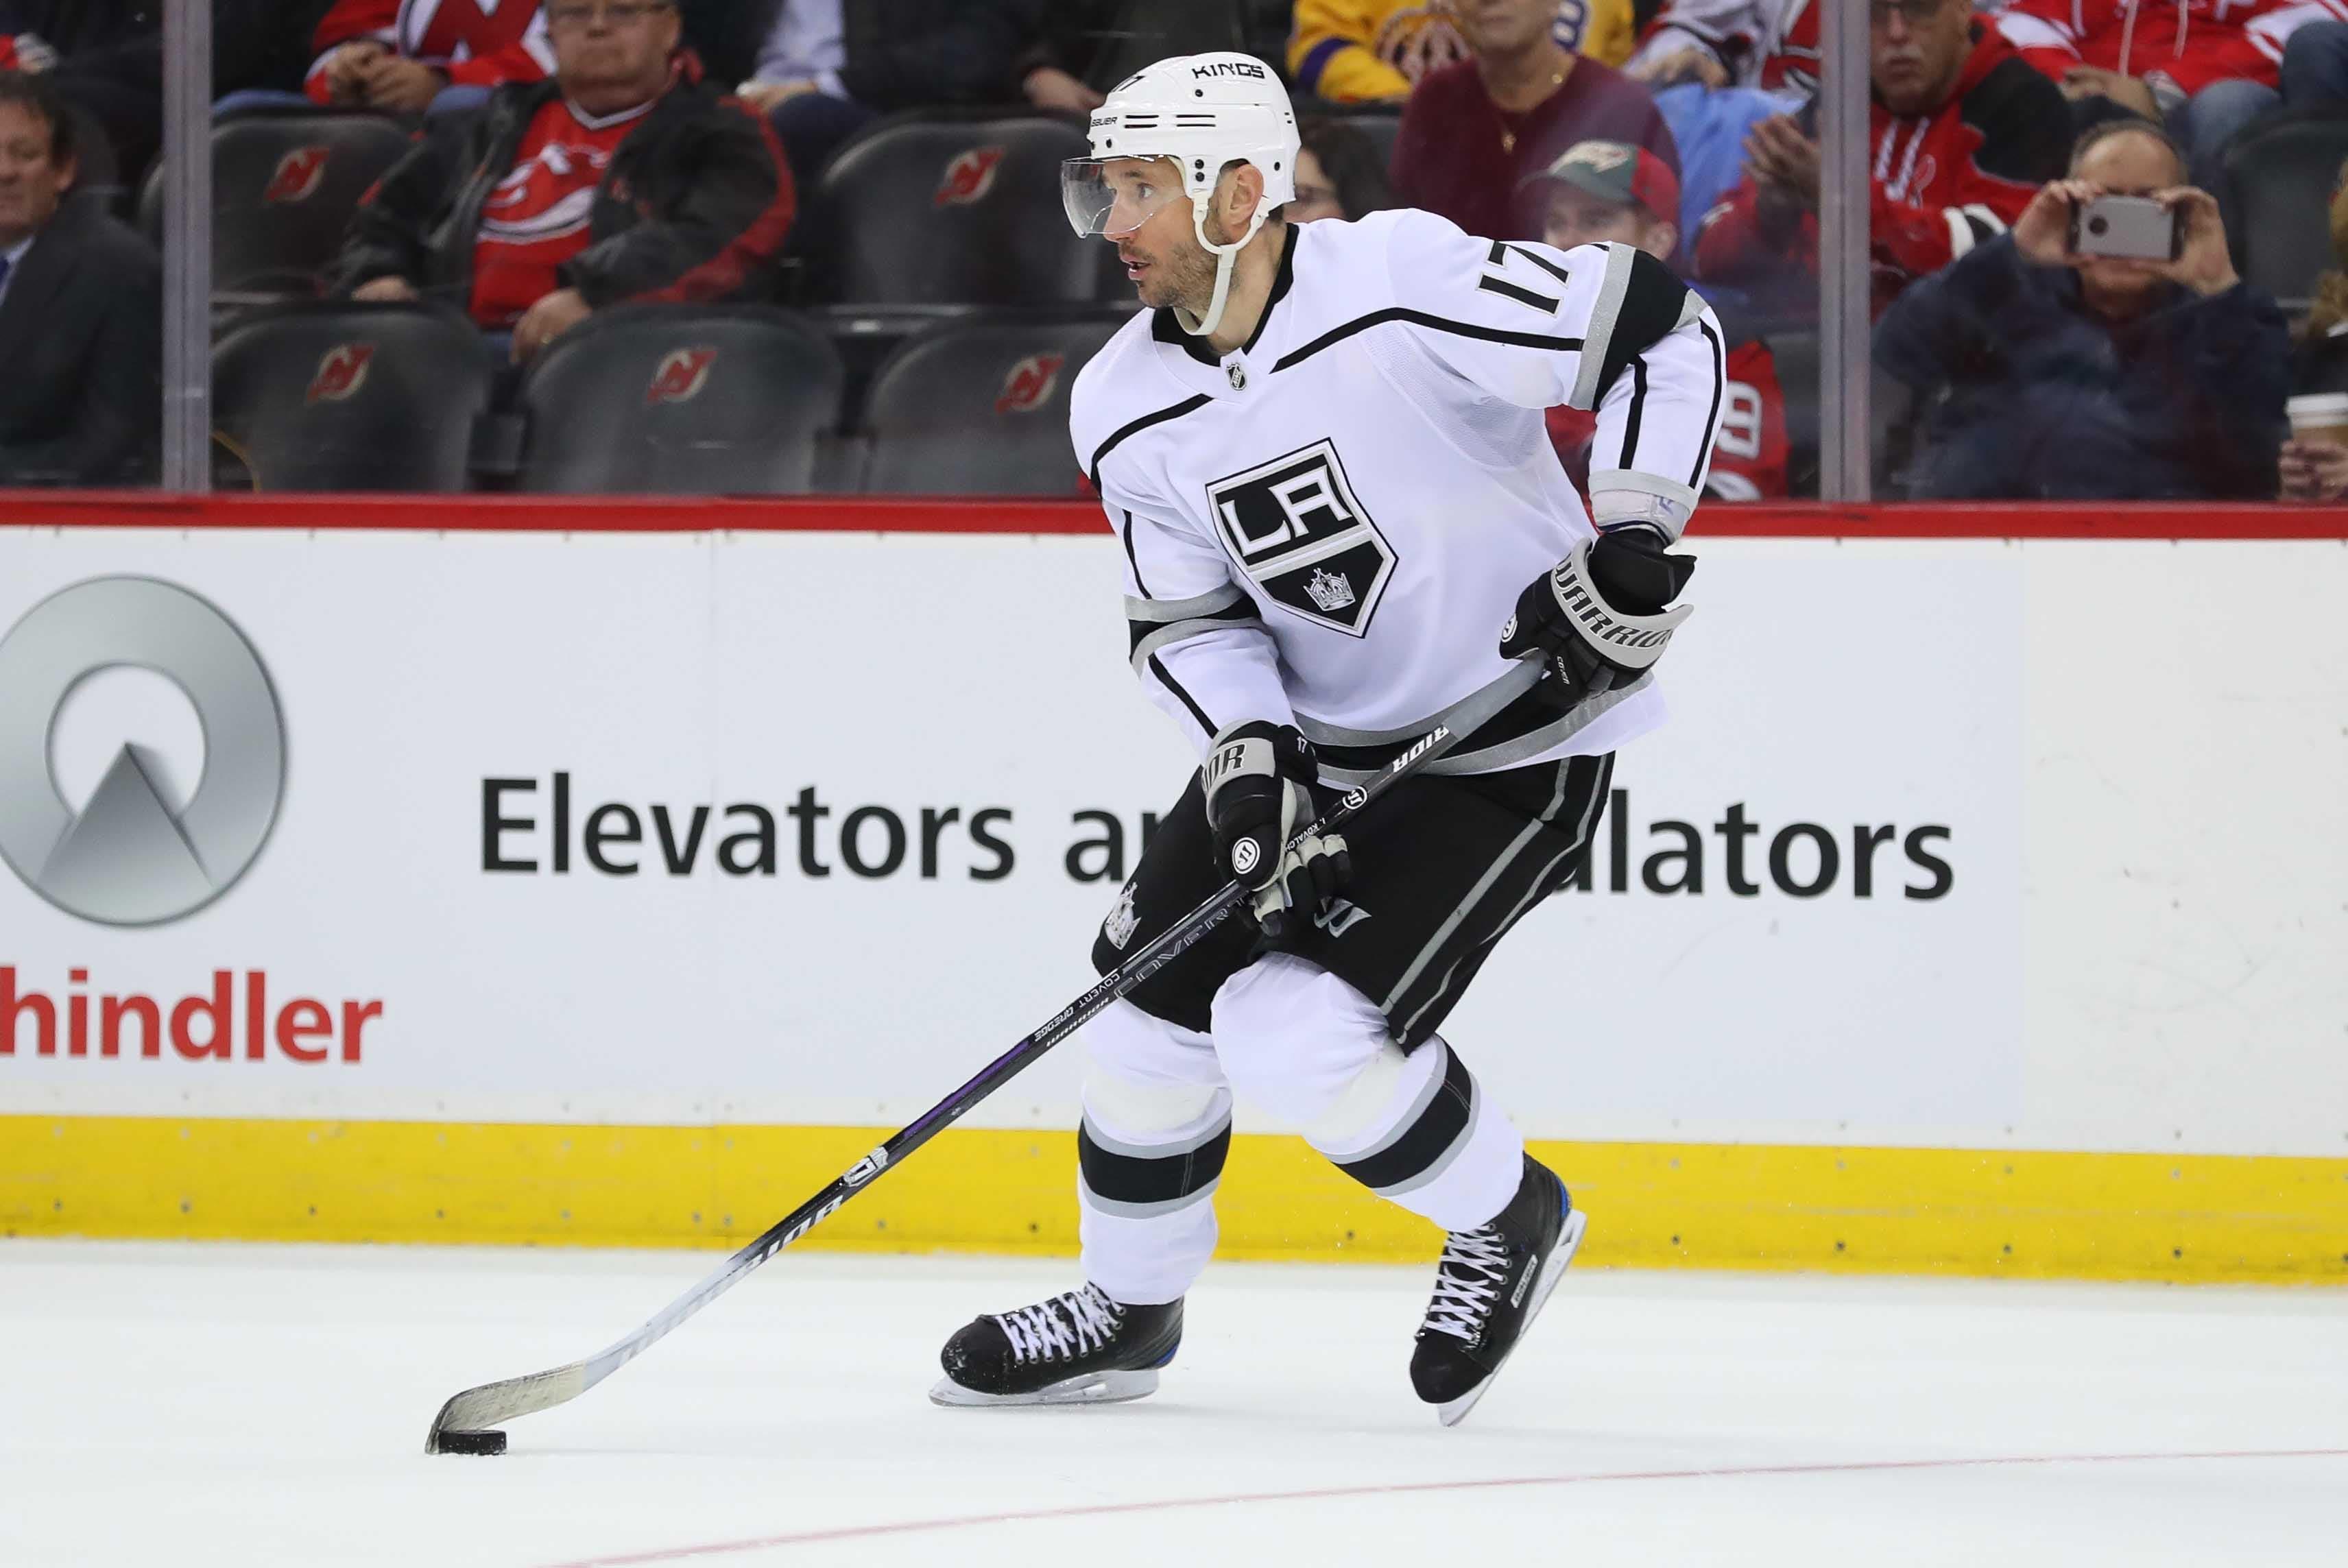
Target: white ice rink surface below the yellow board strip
{"points": [[245, 1405]]}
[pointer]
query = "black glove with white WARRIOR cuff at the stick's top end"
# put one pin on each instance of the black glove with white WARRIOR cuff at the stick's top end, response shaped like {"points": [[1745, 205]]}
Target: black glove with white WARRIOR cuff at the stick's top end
{"points": [[1603, 609]]}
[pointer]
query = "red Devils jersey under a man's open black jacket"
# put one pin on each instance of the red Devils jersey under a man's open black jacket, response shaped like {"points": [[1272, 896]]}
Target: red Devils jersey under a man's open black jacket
{"points": [[537, 219]]}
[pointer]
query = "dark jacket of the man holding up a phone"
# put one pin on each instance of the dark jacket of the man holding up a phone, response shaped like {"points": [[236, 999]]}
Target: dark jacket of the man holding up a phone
{"points": [[2051, 400]]}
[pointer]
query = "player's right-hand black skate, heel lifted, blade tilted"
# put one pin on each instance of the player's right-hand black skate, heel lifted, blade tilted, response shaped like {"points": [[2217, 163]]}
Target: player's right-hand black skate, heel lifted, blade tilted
{"points": [[1487, 1290]]}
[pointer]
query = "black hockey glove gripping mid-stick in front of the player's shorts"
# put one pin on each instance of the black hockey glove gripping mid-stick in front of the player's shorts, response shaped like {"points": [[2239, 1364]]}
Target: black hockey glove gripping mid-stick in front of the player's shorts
{"points": [[1257, 799]]}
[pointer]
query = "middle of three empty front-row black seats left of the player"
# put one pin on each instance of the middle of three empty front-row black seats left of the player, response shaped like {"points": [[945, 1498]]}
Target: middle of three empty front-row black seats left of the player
{"points": [[682, 400]]}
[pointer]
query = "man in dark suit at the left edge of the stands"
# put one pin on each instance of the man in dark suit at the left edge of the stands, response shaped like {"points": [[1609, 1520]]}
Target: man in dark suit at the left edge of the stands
{"points": [[81, 311]]}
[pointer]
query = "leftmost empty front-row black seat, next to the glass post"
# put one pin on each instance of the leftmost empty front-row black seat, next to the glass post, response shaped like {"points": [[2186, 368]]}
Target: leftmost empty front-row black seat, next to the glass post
{"points": [[351, 398]]}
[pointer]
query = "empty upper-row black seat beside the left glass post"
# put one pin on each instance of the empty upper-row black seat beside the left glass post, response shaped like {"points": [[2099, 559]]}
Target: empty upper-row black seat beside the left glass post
{"points": [[283, 191]]}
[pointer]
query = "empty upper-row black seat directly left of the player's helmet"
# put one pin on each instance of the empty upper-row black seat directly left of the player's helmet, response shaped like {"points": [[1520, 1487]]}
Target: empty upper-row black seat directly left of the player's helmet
{"points": [[954, 212]]}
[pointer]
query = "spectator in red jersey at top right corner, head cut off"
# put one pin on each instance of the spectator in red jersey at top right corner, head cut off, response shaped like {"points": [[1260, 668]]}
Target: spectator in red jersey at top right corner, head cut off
{"points": [[2199, 67]]}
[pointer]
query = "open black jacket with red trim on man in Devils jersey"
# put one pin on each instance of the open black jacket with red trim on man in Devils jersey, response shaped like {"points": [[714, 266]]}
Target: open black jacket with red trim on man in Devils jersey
{"points": [[694, 208]]}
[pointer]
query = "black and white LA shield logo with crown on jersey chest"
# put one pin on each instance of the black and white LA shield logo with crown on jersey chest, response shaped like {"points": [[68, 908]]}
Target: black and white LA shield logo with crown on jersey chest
{"points": [[1304, 539]]}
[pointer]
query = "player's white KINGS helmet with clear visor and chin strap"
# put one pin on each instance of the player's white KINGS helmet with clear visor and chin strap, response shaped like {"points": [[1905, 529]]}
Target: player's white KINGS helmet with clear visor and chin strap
{"points": [[1203, 111]]}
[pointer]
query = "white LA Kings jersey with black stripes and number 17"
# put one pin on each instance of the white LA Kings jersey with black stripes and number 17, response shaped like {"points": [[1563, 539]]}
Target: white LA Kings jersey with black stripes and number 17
{"points": [[1330, 525]]}
